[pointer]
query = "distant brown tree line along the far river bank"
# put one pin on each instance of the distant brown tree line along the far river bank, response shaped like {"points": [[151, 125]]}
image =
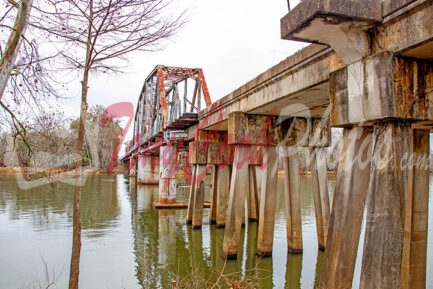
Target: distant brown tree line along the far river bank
{"points": [[51, 140]]}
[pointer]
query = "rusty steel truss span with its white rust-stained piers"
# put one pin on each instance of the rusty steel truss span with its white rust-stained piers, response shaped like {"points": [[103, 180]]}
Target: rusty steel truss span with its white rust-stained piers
{"points": [[167, 106]]}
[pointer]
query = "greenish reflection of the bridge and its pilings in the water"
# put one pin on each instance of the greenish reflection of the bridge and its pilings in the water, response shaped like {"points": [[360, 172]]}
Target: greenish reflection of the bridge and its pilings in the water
{"points": [[166, 249]]}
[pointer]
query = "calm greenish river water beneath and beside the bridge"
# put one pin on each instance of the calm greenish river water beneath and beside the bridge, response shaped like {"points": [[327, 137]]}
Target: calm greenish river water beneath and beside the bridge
{"points": [[128, 244]]}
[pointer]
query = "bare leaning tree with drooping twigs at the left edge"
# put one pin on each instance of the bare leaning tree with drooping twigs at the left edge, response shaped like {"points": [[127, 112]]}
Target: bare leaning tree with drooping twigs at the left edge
{"points": [[25, 75]]}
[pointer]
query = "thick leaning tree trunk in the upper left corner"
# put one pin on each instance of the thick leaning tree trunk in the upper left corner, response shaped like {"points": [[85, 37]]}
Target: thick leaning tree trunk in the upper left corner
{"points": [[8, 58]]}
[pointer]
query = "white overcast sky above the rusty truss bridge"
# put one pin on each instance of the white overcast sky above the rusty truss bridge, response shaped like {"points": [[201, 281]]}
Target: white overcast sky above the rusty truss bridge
{"points": [[231, 40]]}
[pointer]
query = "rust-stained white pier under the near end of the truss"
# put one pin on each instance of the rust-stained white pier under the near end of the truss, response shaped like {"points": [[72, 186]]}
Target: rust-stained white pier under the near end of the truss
{"points": [[167, 174]]}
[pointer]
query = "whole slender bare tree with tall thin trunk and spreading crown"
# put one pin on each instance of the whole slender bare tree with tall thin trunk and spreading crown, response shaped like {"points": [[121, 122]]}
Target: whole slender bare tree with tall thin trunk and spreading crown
{"points": [[94, 36]]}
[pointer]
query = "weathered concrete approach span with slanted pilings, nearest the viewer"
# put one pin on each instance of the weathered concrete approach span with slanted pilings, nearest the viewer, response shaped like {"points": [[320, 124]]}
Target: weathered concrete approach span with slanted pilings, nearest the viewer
{"points": [[369, 70]]}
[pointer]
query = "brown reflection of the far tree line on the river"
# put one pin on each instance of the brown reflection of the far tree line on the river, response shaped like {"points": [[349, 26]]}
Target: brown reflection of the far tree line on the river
{"points": [[46, 204]]}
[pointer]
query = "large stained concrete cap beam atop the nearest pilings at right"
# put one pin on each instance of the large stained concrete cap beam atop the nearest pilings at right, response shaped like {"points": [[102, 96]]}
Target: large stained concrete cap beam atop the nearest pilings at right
{"points": [[382, 87]]}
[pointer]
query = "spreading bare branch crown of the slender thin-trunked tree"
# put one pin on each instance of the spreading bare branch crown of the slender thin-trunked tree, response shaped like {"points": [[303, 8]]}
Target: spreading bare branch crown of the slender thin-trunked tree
{"points": [[118, 27]]}
